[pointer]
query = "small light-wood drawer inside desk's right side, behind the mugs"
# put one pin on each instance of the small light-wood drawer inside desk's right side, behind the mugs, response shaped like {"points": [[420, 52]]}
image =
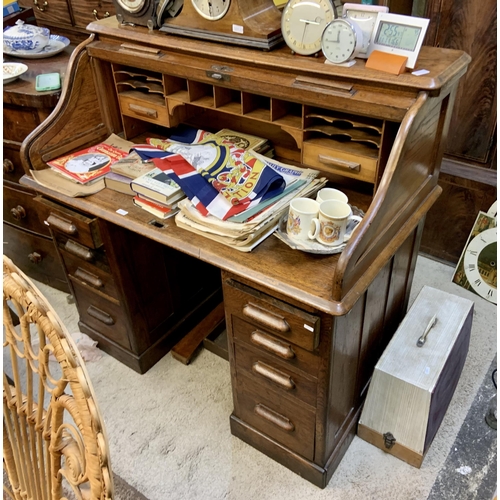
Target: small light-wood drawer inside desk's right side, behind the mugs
{"points": [[317, 154]]}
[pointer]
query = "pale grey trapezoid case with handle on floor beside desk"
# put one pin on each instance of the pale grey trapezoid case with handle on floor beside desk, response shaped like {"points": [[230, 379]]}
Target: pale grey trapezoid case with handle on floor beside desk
{"points": [[412, 386]]}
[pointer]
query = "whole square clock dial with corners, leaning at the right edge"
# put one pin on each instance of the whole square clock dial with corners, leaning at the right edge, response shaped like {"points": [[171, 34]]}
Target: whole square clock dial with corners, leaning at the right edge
{"points": [[477, 267]]}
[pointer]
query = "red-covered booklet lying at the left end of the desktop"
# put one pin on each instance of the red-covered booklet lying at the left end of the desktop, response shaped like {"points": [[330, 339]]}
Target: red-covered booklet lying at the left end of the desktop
{"points": [[88, 164]]}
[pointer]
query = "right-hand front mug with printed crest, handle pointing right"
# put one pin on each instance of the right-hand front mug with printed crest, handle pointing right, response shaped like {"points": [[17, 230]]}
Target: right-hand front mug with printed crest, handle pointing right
{"points": [[329, 227]]}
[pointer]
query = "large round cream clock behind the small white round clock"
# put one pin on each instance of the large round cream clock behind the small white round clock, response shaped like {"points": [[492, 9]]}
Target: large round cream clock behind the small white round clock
{"points": [[303, 23]]}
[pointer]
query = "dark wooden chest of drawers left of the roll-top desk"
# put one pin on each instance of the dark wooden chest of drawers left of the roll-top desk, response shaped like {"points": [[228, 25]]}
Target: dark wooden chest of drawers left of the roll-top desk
{"points": [[25, 237]]}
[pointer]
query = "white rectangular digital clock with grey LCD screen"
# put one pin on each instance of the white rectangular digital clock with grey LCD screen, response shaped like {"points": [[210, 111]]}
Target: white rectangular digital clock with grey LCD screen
{"points": [[399, 35]]}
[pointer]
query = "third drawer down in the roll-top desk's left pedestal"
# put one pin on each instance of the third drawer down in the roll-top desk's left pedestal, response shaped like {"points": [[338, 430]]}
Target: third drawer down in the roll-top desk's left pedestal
{"points": [[95, 275]]}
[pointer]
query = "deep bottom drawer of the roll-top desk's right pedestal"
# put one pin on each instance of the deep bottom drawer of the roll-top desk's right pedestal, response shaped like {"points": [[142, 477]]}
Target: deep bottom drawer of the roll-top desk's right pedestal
{"points": [[289, 423]]}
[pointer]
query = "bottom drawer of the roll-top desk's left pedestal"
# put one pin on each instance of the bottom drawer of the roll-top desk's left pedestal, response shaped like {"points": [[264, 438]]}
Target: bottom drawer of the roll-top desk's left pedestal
{"points": [[102, 315]]}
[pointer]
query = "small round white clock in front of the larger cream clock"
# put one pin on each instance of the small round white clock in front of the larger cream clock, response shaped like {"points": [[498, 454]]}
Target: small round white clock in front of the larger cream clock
{"points": [[341, 41]]}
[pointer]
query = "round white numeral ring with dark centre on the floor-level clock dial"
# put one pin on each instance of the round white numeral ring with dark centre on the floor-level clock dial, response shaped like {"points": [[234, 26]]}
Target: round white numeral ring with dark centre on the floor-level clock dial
{"points": [[480, 264]]}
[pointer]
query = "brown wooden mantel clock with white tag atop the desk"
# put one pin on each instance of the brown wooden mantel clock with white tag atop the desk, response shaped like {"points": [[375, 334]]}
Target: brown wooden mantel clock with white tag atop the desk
{"points": [[251, 23]]}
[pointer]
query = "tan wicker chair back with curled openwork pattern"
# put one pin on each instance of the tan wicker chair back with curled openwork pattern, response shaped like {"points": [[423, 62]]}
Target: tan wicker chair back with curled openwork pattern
{"points": [[54, 441]]}
